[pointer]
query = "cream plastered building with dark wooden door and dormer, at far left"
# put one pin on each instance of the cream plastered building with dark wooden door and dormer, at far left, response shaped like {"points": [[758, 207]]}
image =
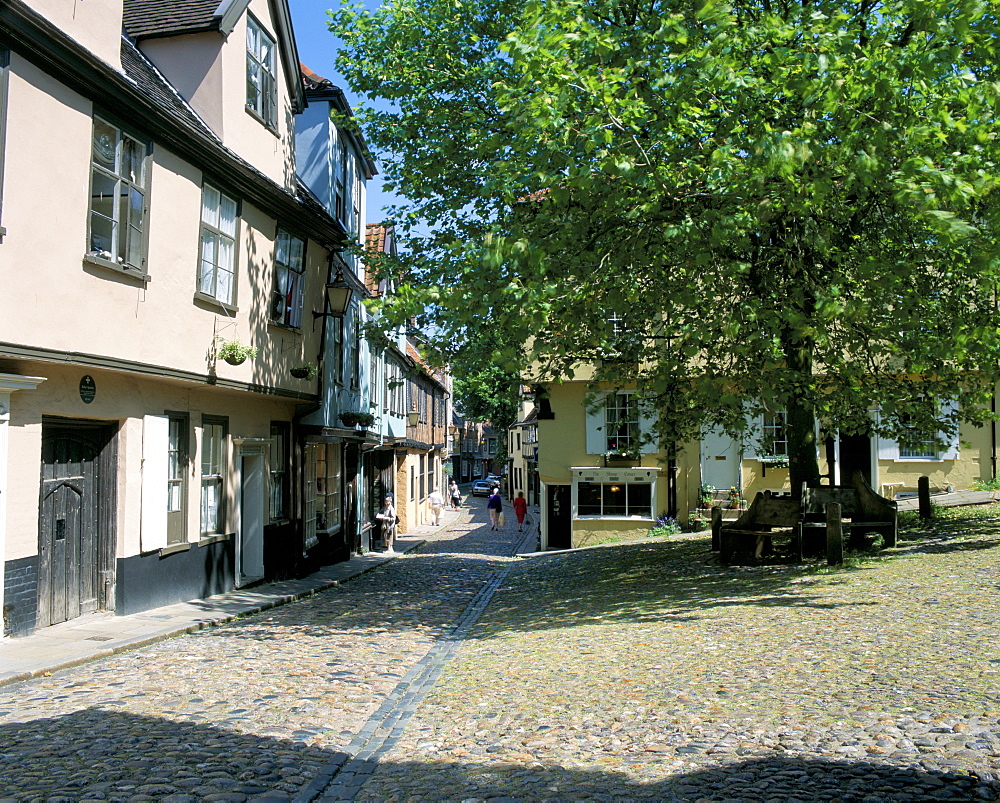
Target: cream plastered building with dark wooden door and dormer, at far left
{"points": [[151, 213]]}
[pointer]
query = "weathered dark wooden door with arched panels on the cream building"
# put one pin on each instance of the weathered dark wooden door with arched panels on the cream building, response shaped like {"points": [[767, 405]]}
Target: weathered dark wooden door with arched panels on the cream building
{"points": [[75, 549]]}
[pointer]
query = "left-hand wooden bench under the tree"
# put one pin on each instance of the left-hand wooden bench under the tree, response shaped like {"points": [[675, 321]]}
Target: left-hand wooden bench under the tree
{"points": [[767, 517]]}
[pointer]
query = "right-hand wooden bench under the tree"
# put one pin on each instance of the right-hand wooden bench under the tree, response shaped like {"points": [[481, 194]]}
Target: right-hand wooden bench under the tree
{"points": [[861, 508]]}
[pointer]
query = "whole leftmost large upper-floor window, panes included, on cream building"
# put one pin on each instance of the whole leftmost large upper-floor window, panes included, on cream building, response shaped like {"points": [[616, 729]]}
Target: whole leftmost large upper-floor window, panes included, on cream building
{"points": [[118, 202]]}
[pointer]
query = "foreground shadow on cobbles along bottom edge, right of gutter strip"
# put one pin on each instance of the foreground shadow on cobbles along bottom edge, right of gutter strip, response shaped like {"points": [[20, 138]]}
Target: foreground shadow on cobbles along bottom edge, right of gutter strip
{"points": [[775, 778]]}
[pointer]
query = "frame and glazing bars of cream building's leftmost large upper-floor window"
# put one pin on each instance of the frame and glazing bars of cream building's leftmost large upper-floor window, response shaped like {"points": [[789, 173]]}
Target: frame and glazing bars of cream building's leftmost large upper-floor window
{"points": [[115, 259]]}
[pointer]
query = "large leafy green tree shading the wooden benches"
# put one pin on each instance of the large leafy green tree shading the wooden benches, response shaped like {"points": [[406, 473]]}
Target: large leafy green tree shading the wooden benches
{"points": [[740, 206]]}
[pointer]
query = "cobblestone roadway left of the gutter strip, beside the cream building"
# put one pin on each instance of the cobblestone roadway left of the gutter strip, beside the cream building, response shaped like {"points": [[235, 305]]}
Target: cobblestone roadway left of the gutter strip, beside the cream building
{"points": [[256, 709]]}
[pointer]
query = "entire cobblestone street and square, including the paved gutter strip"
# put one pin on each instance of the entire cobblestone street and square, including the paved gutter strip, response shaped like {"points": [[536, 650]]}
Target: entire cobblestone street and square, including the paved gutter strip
{"points": [[641, 671]]}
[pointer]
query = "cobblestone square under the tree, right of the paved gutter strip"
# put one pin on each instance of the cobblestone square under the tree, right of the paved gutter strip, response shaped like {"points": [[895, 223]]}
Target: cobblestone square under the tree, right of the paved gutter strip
{"points": [[650, 672]]}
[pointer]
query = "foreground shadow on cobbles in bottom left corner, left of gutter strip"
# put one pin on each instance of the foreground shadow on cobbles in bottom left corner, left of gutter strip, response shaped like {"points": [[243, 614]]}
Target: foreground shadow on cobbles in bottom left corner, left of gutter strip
{"points": [[97, 754]]}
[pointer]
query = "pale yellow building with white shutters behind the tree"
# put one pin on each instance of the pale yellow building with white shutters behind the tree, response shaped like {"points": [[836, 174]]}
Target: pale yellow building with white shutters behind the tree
{"points": [[600, 482]]}
